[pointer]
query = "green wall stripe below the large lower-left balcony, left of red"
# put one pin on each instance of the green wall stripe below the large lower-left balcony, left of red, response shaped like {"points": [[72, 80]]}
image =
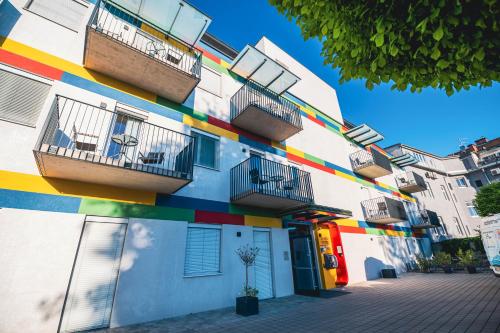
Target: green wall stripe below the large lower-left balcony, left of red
{"points": [[121, 209]]}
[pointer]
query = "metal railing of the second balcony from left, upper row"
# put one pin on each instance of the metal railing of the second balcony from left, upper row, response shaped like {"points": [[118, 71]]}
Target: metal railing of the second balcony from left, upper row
{"points": [[253, 94]]}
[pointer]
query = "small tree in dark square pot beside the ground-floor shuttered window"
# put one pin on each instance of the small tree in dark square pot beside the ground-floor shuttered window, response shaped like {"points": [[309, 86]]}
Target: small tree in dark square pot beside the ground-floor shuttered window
{"points": [[248, 304]]}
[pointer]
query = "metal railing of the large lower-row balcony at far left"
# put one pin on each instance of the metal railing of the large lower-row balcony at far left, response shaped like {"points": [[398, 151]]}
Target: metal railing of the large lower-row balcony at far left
{"points": [[81, 131]]}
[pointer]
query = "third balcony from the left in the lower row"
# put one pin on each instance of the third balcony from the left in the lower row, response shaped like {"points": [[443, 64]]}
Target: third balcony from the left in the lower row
{"points": [[384, 210]]}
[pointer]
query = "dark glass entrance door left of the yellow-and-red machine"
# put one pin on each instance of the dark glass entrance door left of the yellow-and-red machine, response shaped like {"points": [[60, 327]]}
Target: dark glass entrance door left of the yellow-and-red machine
{"points": [[304, 269]]}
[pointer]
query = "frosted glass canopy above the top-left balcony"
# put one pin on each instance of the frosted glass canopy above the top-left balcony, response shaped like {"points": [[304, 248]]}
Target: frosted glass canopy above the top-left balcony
{"points": [[174, 17]]}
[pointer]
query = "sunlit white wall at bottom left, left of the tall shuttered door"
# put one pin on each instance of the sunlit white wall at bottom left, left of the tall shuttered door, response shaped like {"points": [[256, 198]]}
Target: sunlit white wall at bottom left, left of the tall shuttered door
{"points": [[37, 251]]}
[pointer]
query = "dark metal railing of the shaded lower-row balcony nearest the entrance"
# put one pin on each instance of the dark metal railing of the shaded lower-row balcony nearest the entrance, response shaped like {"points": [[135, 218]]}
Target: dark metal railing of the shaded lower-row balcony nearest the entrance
{"points": [[259, 175]]}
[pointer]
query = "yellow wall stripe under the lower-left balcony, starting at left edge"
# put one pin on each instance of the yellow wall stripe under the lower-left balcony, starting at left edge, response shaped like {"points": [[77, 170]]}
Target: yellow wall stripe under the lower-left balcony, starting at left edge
{"points": [[38, 184]]}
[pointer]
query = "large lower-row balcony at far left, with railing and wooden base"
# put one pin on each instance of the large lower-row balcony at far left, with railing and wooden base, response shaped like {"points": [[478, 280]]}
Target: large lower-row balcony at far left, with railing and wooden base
{"points": [[86, 143]]}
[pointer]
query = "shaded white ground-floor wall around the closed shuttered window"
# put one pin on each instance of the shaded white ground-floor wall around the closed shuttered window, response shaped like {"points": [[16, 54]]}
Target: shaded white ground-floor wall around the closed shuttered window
{"points": [[152, 285]]}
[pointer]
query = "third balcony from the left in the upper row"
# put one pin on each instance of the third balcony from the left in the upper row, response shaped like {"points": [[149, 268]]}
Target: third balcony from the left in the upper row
{"points": [[371, 164]]}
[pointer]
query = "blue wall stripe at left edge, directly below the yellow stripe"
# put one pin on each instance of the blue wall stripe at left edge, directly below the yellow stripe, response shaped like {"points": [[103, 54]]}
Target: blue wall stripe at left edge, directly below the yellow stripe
{"points": [[38, 201]]}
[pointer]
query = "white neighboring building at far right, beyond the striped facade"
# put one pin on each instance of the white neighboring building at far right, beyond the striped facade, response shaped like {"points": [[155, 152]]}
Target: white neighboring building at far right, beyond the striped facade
{"points": [[452, 183]]}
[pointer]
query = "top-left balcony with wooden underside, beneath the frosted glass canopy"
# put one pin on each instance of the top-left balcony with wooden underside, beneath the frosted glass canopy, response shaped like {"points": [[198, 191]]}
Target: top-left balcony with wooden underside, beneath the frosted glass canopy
{"points": [[118, 47]]}
